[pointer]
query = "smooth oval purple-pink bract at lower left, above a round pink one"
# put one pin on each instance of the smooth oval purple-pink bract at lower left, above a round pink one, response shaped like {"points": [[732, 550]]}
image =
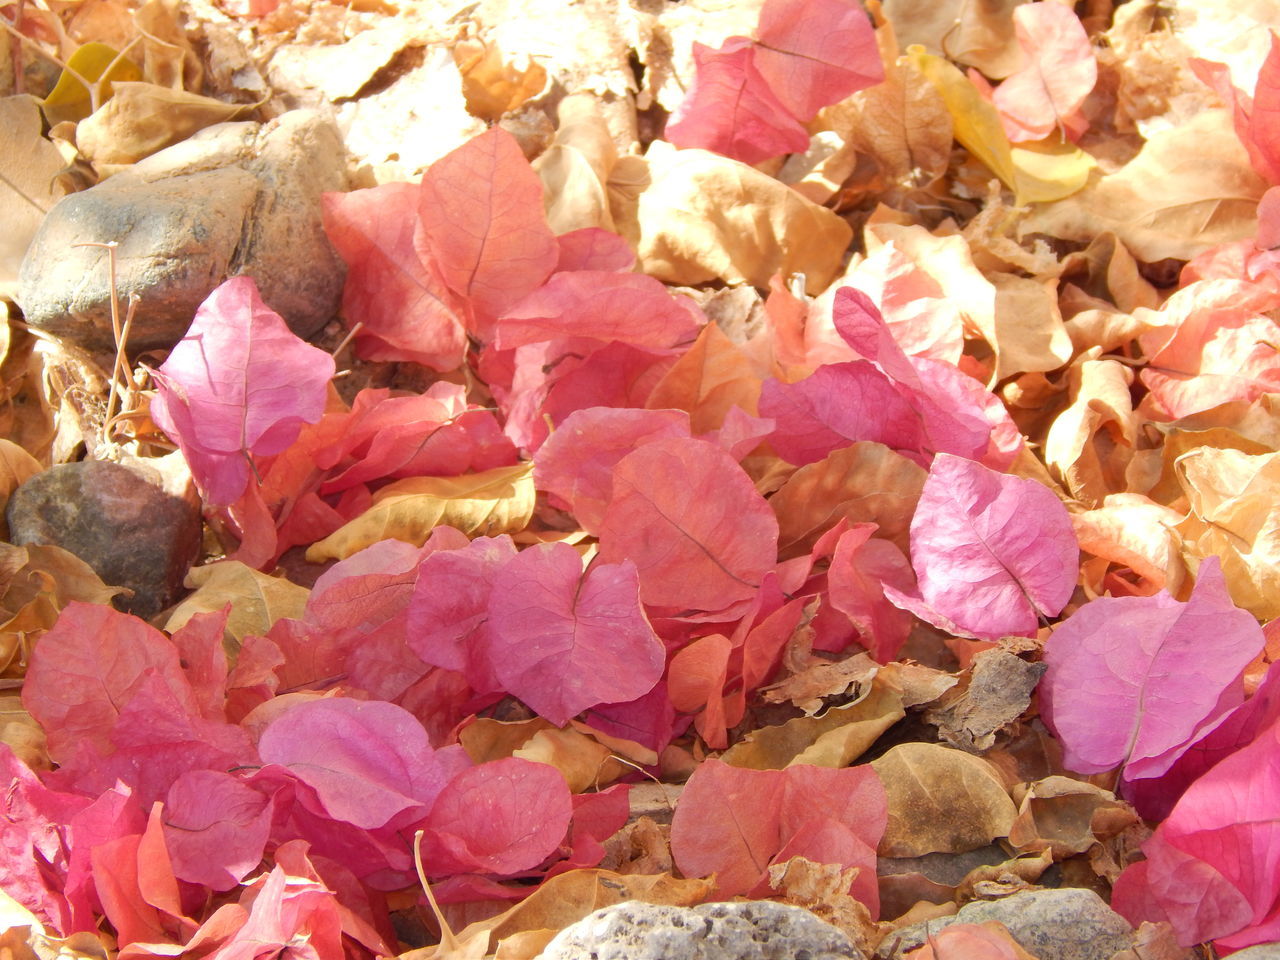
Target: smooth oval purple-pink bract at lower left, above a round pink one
{"points": [[369, 762]]}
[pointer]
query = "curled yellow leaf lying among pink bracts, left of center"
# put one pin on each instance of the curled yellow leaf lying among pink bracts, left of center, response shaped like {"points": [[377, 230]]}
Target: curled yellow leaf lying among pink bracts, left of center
{"points": [[499, 501]]}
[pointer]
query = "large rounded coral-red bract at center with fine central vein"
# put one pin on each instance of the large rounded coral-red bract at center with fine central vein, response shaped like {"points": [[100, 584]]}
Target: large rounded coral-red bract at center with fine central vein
{"points": [[693, 523]]}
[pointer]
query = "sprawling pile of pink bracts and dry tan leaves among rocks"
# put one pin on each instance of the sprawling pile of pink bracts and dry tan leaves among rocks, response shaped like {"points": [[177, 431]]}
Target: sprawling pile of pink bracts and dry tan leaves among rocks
{"points": [[889, 455]]}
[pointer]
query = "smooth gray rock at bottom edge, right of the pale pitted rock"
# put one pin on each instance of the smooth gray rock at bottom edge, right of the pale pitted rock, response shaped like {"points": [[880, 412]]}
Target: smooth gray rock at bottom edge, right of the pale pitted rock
{"points": [[1050, 925]]}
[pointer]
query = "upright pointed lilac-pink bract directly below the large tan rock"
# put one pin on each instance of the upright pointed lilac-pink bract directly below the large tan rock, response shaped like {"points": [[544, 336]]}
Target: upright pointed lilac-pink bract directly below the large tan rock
{"points": [[240, 383]]}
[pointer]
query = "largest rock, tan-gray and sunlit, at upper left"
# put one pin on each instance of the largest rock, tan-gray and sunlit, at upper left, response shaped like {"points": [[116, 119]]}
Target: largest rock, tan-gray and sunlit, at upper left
{"points": [[234, 199]]}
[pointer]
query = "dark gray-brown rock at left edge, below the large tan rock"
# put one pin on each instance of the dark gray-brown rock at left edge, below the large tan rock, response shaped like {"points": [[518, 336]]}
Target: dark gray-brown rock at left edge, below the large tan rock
{"points": [[132, 528]]}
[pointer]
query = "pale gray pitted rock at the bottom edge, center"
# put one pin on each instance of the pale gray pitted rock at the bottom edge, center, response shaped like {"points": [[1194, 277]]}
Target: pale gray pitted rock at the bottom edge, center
{"points": [[747, 931]]}
